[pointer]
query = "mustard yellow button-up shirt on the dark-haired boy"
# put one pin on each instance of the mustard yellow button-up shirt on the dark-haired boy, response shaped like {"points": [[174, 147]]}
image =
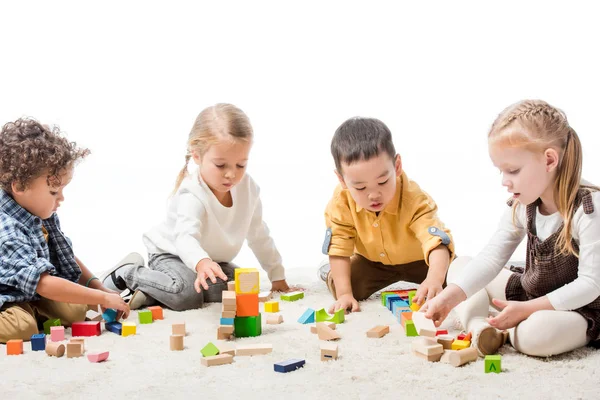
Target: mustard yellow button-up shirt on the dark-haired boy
{"points": [[405, 231]]}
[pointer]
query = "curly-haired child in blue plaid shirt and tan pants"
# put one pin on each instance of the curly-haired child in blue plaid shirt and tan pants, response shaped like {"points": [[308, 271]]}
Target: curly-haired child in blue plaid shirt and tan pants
{"points": [[40, 277]]}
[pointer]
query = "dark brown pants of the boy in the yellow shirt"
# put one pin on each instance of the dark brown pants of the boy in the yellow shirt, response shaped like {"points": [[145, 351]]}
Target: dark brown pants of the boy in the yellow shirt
{"points": [[367, 277]]}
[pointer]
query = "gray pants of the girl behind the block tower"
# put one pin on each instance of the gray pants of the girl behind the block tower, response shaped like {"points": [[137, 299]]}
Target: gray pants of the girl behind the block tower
{"points": [[170, 282]]}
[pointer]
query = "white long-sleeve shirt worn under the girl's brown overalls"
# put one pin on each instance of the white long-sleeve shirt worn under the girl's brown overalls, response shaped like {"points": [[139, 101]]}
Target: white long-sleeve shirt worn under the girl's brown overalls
{"points": [[586, 232]]}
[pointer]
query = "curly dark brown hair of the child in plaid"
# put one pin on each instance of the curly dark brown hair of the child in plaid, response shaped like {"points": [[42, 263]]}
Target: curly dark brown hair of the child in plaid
{"points": [[29, 149]]}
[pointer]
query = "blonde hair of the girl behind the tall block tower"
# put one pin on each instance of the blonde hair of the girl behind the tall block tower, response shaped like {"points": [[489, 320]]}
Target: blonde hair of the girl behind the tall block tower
{"points": [[214, 124]]}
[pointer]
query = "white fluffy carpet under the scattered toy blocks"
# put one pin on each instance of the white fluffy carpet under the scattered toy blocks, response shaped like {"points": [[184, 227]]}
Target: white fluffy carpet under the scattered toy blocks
{"points": [[142, 366]]}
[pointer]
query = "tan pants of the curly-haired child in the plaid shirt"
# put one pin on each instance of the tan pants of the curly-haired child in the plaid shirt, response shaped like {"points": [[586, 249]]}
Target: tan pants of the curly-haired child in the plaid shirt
{"points": [[20, 321]]}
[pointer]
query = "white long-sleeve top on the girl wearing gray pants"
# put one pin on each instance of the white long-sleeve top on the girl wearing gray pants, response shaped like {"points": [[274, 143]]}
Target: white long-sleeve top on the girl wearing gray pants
{"points": [[198, 226]]}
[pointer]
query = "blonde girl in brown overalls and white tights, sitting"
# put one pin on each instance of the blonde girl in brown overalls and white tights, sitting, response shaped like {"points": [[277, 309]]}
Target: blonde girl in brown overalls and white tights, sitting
{"points": [[552, 305]]}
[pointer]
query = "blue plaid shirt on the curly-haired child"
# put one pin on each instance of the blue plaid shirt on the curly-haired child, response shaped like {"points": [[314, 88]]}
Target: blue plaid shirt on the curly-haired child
{"points": [[25, 254]]}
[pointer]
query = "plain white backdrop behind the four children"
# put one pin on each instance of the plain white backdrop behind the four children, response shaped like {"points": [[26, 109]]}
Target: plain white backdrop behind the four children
{"points": [[127, 79]]}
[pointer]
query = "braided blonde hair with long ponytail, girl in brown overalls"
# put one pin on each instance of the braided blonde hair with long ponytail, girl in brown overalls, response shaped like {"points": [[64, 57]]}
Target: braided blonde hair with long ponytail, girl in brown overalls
{"points": [[536, 126]]}
